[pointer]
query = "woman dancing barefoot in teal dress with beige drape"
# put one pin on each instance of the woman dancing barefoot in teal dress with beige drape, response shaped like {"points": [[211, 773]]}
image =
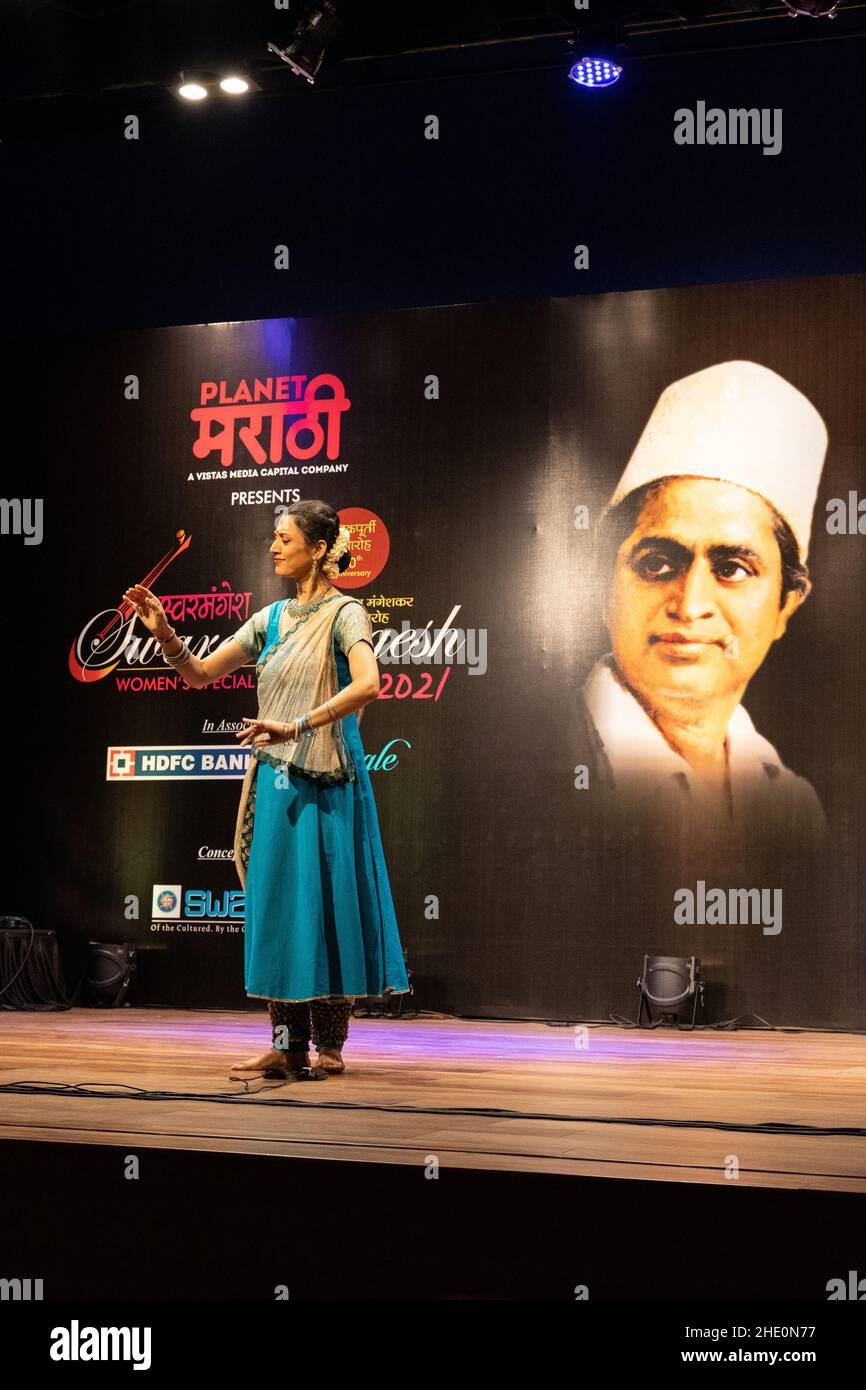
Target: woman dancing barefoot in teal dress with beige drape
{"points": [[320, 922]]}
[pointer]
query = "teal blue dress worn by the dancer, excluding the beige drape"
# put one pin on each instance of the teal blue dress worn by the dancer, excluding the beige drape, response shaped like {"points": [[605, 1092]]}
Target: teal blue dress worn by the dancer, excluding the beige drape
{"points": [[320, 917]]}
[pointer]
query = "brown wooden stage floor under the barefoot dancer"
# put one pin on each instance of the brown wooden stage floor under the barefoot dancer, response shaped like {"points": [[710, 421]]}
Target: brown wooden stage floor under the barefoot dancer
{"points": [[477, 1095]]}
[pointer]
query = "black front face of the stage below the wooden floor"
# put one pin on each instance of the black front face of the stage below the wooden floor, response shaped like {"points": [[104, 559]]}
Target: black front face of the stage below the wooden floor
{"points": [[226, 1227]]}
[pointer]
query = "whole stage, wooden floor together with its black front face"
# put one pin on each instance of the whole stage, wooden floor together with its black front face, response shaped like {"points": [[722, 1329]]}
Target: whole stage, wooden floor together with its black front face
{"points": [[550, 1164]]}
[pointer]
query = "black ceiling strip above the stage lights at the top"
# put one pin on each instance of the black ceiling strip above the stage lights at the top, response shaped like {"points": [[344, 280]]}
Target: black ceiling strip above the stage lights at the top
{"points": [[85, 49]]}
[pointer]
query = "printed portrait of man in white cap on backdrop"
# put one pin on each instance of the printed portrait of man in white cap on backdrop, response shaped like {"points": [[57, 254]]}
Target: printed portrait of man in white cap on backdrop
{"points": [[703, 566]]}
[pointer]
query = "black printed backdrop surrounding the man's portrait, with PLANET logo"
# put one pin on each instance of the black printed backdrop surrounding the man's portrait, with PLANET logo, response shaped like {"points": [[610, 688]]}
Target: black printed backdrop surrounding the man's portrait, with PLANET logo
{"points": [[472, 451]]}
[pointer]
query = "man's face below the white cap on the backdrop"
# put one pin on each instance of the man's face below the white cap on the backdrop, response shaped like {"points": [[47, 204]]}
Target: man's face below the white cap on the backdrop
{"points": [[696, 598]]}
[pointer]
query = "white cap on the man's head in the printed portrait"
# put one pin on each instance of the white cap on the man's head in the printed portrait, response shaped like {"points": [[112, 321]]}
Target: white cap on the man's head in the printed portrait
{"points": [[739, 423]]}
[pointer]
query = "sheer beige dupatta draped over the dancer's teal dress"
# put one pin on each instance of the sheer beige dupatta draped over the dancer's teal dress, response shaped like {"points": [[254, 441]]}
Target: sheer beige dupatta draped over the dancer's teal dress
{"points": [[297, 673]]}
